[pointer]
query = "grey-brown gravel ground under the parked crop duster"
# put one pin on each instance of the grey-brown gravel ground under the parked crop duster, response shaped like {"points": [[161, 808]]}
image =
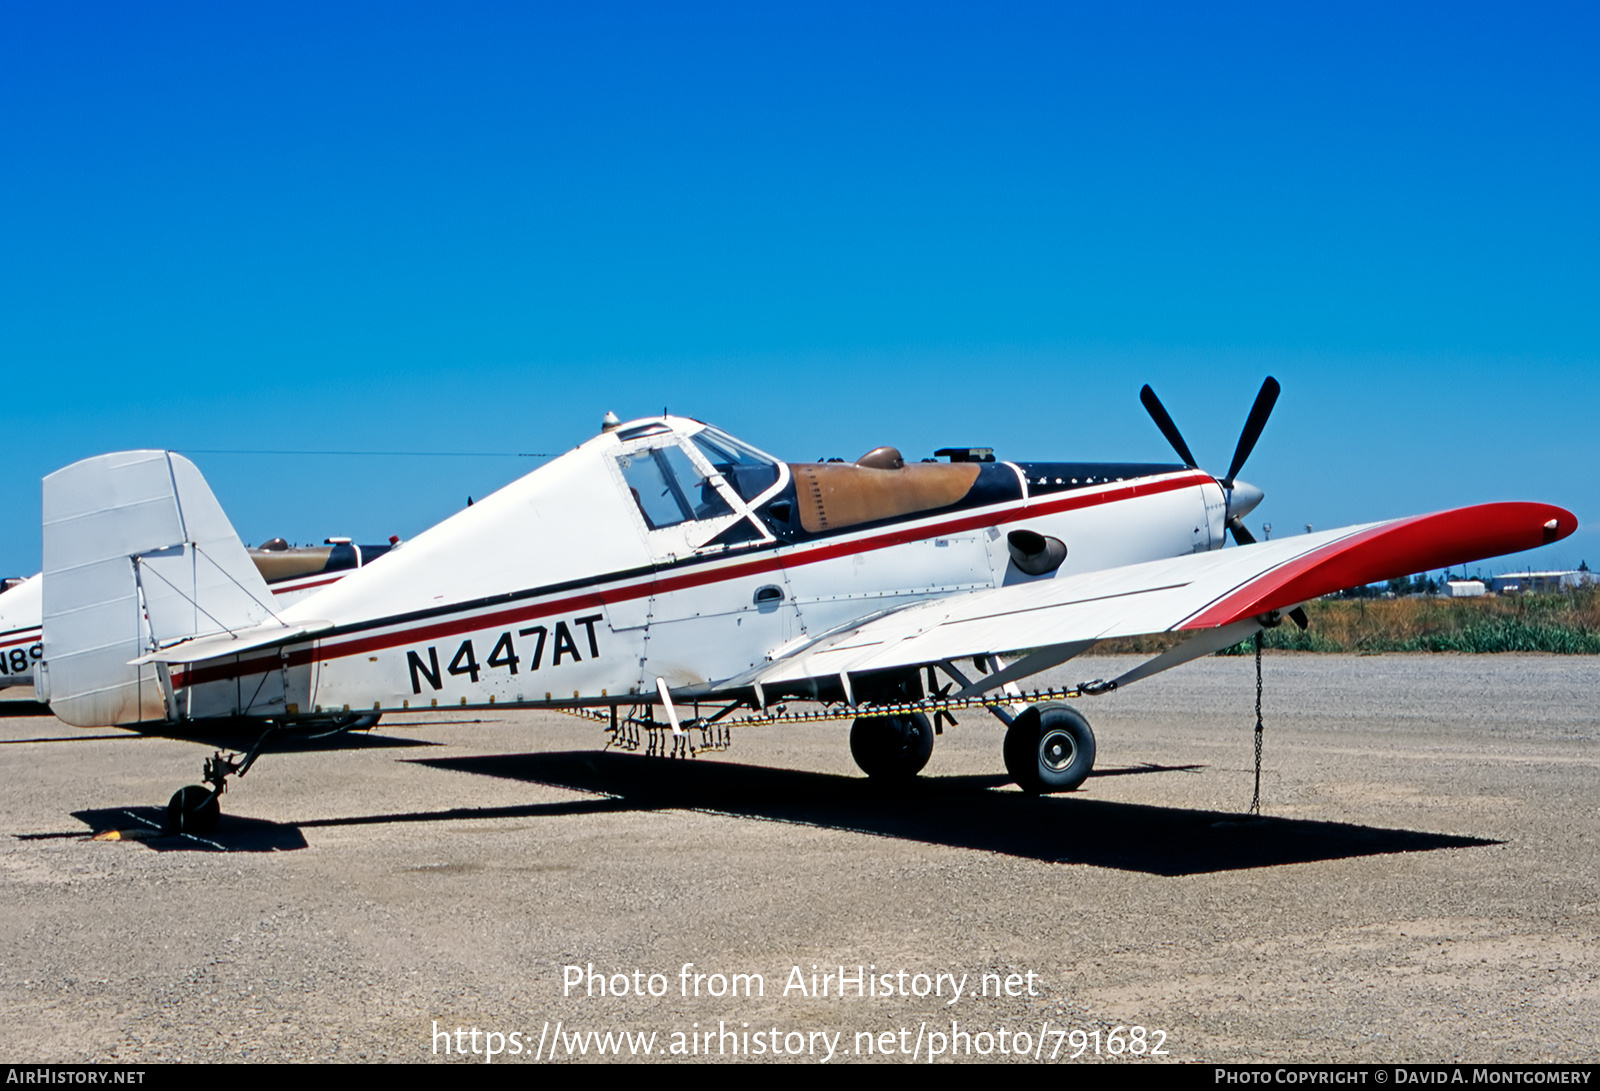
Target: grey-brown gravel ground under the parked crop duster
{"points": [[1425, 889]]}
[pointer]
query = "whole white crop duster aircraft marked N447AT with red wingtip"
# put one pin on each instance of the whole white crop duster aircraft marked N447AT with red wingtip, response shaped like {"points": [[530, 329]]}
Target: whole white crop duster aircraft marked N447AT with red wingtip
{"points": [[666, 564]]}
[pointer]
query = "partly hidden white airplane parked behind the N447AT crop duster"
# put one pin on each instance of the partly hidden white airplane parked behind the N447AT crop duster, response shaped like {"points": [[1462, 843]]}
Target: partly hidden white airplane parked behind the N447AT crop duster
{"points": [[292, 572]]}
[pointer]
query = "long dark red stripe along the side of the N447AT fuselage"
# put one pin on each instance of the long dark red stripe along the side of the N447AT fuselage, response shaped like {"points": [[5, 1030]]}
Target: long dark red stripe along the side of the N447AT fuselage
{"points": [[682, 581]]}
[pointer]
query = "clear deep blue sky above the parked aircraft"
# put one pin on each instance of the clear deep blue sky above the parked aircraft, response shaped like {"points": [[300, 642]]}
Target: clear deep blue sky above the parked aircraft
{"points": [[476, 228]]}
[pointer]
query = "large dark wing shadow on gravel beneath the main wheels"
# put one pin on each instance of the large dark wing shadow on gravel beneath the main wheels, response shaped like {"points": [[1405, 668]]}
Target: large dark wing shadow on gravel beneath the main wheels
{"points": [[961, 812]]}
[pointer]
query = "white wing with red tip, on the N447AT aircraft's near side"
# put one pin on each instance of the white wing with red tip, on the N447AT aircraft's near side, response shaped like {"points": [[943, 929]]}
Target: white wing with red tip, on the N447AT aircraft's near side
{"points": [[1218, 599]]}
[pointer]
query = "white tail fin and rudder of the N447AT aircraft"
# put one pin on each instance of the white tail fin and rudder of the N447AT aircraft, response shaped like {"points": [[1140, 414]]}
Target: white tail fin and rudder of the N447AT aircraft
{"points": [[138, 556]]}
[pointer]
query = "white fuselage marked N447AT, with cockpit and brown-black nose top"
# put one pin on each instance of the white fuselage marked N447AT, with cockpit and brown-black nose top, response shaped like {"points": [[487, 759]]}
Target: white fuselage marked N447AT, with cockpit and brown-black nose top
{"points": [[666, 549]]}
